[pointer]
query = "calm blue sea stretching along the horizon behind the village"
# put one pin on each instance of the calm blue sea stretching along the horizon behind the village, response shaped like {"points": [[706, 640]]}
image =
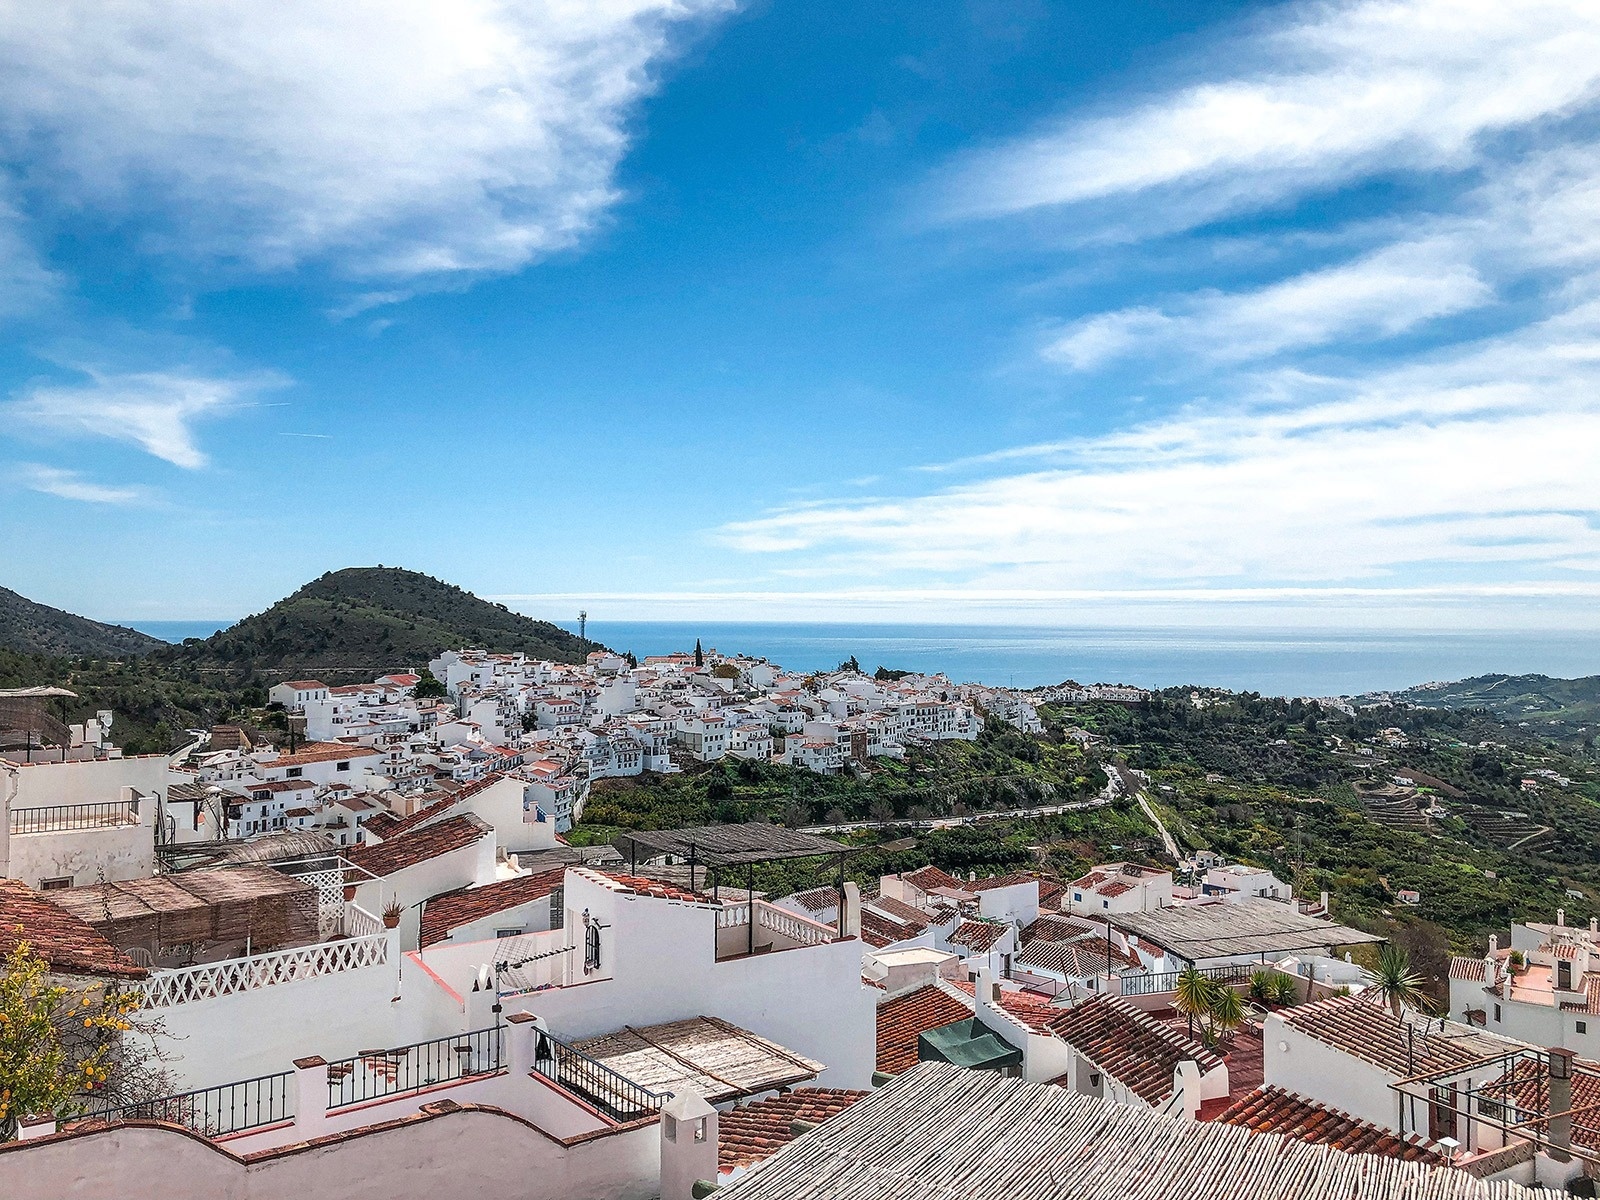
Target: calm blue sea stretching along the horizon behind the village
{"points": [[1271, 662]]}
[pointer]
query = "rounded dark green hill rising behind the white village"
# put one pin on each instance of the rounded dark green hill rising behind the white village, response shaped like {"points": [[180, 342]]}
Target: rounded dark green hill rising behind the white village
{"points": [[364, 622]]}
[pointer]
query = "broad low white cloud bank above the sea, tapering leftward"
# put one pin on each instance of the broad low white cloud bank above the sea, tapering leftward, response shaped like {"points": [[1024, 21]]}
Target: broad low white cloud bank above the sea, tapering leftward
{"points": [[1476, 460]]}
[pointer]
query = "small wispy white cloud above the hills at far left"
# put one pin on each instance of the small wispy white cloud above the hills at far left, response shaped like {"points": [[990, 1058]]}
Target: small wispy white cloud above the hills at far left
{"points": [[154, 410]]}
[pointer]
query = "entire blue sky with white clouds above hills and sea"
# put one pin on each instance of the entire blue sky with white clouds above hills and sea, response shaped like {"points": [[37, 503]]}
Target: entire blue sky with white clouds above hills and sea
{"points": [[1145, 313]]}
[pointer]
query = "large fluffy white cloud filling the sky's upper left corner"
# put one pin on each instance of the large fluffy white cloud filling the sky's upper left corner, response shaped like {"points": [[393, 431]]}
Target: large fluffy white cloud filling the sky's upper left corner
{"points": [[391, 140]]}
